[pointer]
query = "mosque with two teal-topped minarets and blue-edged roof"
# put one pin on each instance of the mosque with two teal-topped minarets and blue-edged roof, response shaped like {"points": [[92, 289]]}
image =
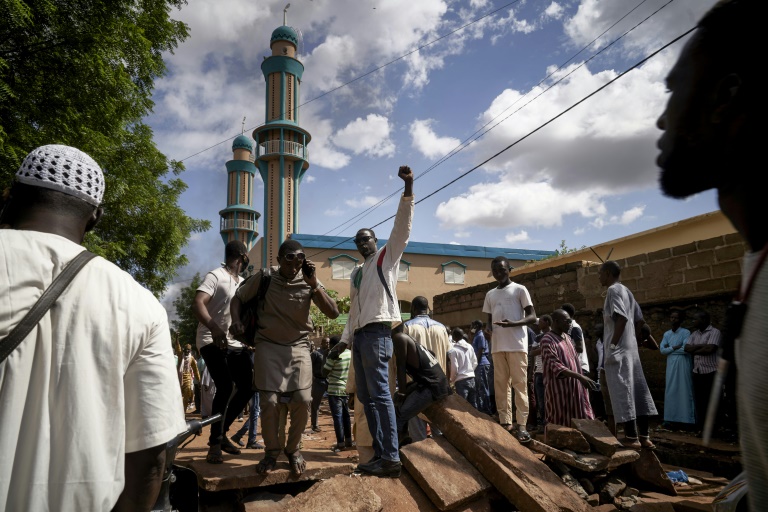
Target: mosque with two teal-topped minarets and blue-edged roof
{"points": [[278, 151]]}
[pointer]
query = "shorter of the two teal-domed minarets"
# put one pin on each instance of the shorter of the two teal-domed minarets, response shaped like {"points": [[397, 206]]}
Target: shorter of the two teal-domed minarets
{"points": [[238, 219]]}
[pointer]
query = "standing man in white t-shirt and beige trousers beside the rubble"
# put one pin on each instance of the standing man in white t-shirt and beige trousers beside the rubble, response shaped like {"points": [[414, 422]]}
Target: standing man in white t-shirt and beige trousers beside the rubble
{"points": [[510, 310]]}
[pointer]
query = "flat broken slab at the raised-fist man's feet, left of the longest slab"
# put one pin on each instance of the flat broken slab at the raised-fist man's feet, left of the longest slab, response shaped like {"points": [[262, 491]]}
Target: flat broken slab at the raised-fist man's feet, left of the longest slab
{"points": [[443, 473]]}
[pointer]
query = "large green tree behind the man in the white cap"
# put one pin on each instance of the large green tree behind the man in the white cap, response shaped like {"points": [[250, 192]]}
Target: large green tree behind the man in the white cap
{"points": [[81, 73]]}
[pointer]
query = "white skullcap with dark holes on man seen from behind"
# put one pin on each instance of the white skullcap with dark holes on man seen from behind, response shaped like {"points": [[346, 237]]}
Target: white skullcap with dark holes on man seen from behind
{"points": [[65, 169]]}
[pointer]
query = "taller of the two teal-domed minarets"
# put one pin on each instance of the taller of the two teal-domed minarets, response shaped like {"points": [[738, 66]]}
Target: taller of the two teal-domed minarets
{"points": [[281, 143]]}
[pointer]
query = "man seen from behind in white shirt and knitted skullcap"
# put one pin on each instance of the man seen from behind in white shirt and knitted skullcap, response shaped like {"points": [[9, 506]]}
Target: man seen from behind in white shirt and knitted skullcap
{"points": [[90, 397]]}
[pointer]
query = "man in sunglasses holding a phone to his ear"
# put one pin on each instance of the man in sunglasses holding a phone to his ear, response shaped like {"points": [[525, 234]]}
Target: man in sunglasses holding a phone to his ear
{"points": [[283, 367]]}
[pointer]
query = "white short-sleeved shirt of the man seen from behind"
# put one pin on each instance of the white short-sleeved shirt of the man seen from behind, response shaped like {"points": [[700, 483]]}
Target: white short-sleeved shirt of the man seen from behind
{"points": [[92, 381]]}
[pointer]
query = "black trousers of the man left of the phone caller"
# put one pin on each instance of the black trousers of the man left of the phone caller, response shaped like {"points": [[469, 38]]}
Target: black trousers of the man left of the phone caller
{"points": [[228, 369]]}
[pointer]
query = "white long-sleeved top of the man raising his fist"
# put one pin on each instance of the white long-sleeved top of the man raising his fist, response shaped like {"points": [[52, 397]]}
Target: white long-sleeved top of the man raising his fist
{"points": [[373, 296]]}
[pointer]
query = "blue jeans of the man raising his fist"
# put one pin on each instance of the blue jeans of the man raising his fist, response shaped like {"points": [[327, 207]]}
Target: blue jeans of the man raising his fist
{"points": [[371, 352]]}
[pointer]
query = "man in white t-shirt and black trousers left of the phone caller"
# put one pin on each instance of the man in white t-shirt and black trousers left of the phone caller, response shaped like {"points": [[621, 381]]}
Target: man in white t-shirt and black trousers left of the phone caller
{"points": [[227, 360]]}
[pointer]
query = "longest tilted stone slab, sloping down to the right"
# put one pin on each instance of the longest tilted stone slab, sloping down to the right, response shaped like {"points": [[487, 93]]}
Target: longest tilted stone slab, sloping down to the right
{"points": [[509, 466]]}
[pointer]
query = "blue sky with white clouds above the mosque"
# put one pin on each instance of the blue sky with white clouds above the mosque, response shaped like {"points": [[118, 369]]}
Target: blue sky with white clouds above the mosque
{"points": [[493, 68]]}
